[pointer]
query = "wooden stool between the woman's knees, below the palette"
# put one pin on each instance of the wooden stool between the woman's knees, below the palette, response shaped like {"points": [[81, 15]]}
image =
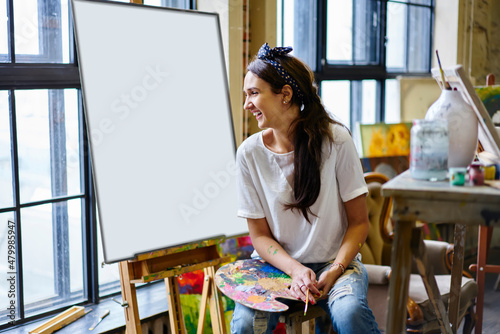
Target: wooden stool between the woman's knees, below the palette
{"points": [[297, 323]]}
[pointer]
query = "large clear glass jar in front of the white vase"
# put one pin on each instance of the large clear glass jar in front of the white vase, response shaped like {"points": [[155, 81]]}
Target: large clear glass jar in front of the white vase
{"points": [[429, 149]]}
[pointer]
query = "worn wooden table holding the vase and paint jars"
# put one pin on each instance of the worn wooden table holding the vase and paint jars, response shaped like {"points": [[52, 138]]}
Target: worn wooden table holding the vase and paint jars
{"points": [[436, 202]]}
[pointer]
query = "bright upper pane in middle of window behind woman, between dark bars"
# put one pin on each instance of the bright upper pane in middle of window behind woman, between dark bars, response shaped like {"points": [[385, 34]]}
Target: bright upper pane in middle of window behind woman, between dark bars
{"points": [[339, 31]]}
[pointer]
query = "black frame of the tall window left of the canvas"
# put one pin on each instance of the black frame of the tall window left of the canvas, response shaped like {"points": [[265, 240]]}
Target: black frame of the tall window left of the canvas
{"points": [[16, 76]]}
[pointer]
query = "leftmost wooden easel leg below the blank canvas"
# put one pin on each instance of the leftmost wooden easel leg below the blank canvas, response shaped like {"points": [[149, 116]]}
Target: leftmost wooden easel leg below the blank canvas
{"points": [[132, 321]]}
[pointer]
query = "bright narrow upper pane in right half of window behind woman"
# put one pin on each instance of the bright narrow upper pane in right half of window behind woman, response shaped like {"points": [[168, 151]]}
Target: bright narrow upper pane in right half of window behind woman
{"points": [[396, 36]]}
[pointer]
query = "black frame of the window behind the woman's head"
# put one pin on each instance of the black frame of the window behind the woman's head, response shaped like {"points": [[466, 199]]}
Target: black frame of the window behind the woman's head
{"points": [[352, 72]]}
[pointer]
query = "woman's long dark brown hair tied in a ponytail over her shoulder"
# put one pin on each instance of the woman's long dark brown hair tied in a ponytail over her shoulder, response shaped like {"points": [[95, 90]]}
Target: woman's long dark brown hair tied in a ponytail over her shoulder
{"points": [[309, 130]]}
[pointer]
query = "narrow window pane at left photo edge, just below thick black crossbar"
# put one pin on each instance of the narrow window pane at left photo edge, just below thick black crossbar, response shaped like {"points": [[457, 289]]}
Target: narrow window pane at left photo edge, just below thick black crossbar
{"points": [[6, 194]]}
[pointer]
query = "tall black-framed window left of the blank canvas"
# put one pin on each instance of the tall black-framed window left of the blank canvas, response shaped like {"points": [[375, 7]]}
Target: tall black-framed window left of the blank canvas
{"points": [[50, 252]]}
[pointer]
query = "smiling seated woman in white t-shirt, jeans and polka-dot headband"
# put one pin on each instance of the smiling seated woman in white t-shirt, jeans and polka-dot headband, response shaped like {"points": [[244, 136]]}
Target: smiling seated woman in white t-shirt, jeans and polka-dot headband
{"points": [[301, 189]]}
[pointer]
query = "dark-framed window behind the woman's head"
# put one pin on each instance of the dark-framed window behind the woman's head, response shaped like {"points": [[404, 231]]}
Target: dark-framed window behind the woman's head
{"points": [[357, 48]]}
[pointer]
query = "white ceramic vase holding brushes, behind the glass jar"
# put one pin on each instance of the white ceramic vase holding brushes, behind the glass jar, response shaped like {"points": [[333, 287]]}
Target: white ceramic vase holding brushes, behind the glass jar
{"points": [[462, 126]]}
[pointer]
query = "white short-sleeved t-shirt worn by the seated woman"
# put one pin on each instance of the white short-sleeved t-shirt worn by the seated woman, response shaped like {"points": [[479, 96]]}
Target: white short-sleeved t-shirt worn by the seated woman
{"points": [[265, 183]]}
